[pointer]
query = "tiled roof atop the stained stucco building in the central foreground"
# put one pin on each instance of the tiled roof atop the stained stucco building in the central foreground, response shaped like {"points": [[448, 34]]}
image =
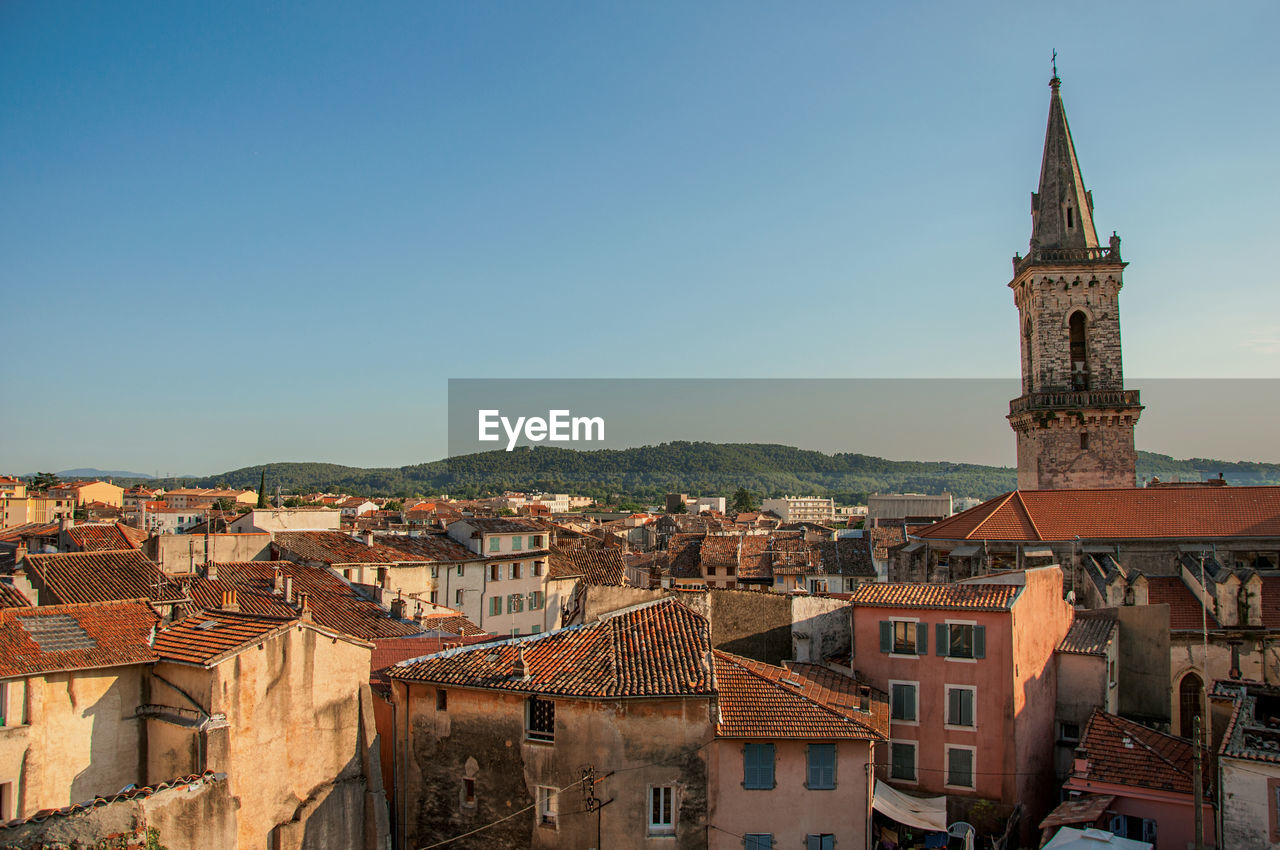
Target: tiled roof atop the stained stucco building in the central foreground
{"points": [[659, 650]]}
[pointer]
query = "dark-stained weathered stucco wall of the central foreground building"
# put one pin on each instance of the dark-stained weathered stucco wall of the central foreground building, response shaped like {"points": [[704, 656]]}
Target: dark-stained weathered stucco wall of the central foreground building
{"points": [[481, 737]]}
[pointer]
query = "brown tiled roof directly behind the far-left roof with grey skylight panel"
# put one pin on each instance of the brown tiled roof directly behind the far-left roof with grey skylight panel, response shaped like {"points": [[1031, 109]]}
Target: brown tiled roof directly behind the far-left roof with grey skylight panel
{"points": [[102, 577]]}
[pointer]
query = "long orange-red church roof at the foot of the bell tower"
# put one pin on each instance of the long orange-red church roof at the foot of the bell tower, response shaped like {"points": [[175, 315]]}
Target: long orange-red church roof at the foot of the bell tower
{"points": [[1119, 514]]}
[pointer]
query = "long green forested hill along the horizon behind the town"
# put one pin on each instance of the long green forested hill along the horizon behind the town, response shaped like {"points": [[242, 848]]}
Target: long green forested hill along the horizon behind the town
{"points": [[706, 469]]}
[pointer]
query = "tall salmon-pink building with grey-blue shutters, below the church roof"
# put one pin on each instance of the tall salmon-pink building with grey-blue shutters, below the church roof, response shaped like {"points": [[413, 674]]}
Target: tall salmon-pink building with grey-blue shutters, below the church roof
{"points": [[972, 687]]}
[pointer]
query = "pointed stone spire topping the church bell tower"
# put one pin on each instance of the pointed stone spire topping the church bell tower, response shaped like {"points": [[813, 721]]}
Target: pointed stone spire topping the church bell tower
{"points": [[1063, 209]]}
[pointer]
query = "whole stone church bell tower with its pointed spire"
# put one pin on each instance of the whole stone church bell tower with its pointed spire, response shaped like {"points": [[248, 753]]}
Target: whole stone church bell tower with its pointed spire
{"points": [[1075, 421]]}
